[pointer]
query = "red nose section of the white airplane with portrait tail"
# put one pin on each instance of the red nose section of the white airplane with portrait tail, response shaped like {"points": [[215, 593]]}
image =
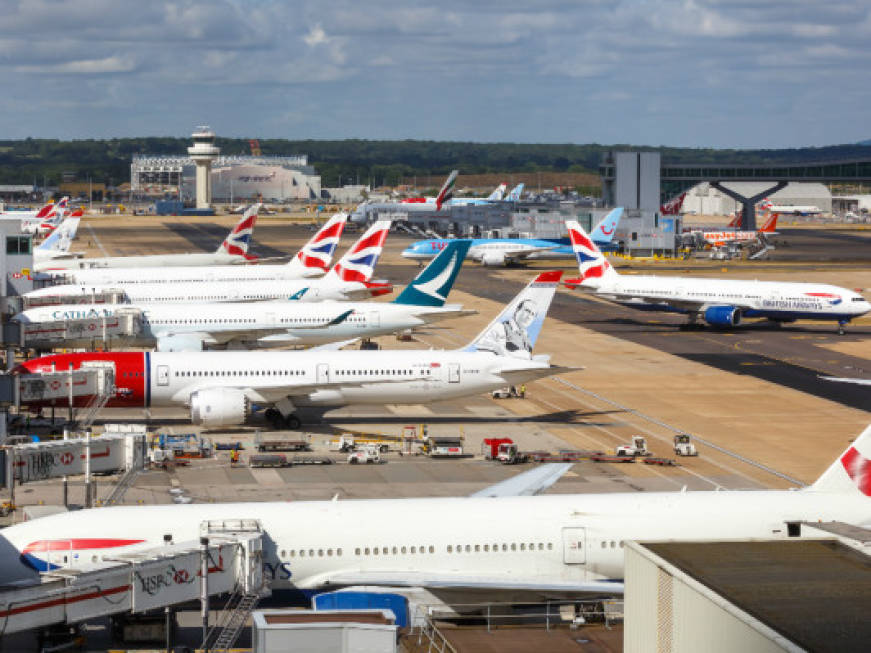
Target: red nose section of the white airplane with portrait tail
{"points": [[130, 375]]}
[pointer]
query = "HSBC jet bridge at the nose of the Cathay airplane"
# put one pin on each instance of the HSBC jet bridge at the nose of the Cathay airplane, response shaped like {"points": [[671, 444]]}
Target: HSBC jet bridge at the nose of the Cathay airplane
{"points": [[98, 329]]}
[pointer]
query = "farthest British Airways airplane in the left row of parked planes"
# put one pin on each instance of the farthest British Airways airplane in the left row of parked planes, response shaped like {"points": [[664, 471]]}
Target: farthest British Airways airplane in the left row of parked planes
{"points": [[233, 250]]}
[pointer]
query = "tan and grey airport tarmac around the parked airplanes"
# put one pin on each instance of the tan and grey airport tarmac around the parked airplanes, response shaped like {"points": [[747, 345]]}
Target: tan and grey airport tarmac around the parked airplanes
{"points": [[751, 397]]}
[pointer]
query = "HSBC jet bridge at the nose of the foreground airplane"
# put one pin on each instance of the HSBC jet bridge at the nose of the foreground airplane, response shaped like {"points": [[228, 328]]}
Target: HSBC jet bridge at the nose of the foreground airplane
{"points": [[79, 590]]}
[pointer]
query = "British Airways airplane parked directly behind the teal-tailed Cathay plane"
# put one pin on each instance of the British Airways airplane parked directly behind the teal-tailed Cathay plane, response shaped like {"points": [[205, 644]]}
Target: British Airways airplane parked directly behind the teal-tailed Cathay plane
{"points": [[347, 280]]}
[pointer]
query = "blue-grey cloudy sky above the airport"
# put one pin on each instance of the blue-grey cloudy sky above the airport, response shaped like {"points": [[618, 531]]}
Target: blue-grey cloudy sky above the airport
{"points": [[683, 73]]}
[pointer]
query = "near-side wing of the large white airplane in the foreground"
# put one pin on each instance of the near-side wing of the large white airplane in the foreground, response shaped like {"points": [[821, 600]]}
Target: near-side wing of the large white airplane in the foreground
{"points": [[449, 580]]}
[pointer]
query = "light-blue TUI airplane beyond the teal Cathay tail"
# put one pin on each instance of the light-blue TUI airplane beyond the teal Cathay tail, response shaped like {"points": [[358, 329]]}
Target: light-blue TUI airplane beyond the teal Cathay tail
{"points": [[510, 251]]}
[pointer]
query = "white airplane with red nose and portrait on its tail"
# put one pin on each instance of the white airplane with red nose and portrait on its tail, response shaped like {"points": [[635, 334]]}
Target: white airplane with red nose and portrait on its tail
{"points": [[221, 386]]}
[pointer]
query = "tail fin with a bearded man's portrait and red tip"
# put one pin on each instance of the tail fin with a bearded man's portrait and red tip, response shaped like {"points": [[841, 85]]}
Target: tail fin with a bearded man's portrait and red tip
{"points": [[515, 330]]}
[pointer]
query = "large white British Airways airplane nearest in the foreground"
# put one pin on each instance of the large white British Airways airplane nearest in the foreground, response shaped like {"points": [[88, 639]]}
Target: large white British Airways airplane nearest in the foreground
{"points": [[499, 539]]}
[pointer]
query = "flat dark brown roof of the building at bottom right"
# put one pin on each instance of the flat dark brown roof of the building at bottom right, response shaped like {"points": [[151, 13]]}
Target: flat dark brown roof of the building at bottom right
{"points": [[816, 593]]}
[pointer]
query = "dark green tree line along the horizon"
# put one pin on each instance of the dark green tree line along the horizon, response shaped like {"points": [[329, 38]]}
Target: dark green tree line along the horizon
{"points": [[40, 161]]}
